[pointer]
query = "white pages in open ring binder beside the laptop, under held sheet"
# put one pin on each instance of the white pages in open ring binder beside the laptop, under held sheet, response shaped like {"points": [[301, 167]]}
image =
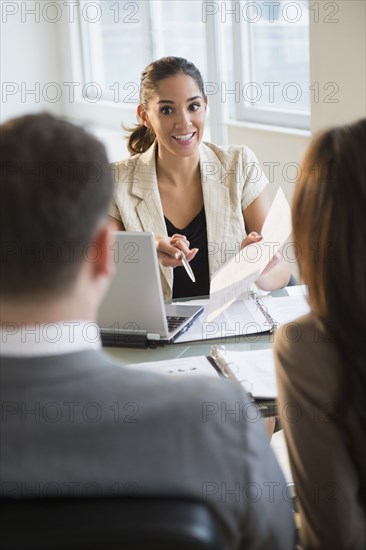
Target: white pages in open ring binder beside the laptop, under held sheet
{"points": [[245, 316]]}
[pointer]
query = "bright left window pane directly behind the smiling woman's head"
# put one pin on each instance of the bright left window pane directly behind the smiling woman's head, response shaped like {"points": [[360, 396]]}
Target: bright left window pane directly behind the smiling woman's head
{"points": [[128, 35]]}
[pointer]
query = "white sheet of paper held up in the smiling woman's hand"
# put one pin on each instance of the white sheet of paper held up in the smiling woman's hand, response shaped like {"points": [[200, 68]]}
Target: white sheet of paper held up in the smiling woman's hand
{"points": [[243, 269]]}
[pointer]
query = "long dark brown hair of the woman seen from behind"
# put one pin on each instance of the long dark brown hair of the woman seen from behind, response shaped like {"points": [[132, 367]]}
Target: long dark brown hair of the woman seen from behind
{"points": [[329, 228]]}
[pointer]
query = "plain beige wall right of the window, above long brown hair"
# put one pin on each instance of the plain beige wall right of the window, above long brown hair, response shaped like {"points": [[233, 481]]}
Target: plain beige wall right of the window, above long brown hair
{"points": [[338, 55]]}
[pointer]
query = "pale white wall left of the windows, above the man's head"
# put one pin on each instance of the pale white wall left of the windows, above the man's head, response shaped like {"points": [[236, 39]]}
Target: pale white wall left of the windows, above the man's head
{"points": [[30, 60]]}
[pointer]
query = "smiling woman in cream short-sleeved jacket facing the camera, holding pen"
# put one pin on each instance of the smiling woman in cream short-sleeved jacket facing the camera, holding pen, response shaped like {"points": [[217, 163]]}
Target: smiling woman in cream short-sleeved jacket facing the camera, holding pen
{"points": [[204, 200]]}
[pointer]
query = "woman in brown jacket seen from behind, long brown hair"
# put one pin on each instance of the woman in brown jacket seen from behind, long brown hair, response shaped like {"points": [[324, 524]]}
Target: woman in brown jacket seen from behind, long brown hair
{"points": [[321, 359]]}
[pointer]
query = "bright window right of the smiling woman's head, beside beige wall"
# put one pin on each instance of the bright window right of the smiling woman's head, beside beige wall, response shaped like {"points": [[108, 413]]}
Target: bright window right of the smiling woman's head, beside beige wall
{"points": [[268, 79]]}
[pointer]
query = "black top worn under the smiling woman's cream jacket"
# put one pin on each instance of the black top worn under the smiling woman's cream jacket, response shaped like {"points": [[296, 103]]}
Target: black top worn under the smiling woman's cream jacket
{"points": [[197, 235]]}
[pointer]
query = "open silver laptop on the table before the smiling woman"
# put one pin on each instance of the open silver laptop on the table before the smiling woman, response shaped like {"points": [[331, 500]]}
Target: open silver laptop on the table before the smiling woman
{"points": [[133, 312]]}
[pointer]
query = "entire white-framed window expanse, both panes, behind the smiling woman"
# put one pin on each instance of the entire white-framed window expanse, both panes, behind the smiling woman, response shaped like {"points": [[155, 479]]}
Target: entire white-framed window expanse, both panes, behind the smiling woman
{"points": [[253, 56]]}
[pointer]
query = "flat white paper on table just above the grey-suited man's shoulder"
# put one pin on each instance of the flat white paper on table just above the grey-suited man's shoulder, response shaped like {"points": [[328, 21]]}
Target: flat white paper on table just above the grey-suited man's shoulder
{"points": [[184, 366]]}
